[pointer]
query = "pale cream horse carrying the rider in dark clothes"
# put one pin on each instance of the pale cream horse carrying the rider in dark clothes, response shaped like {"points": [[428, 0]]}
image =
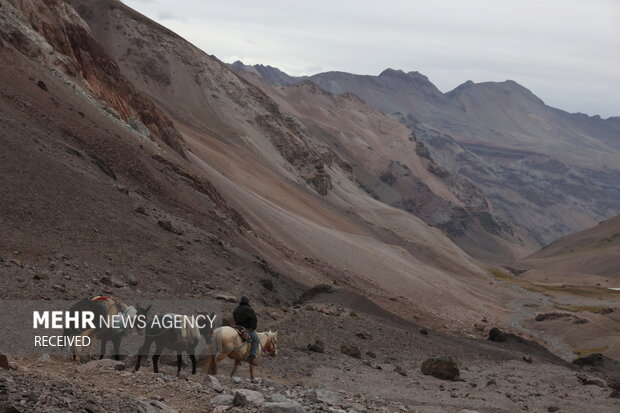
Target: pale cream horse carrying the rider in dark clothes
{"points": [[226, 342]]}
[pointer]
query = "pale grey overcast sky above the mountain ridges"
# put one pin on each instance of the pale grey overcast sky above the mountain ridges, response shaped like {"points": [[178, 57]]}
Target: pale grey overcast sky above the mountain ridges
{"points": [[566, 52]]}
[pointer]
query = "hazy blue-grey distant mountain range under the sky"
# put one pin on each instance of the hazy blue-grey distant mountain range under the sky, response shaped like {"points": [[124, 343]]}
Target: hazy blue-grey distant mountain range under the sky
{"points": [[544, 170]]}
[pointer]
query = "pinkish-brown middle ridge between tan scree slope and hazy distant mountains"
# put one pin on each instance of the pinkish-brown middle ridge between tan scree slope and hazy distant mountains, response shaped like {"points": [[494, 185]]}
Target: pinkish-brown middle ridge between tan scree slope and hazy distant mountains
{"points": [[392, 166]]}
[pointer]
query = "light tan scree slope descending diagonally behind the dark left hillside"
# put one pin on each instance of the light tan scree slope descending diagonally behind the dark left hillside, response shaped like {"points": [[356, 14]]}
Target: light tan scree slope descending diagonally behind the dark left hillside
{"points": [[308, 217]]}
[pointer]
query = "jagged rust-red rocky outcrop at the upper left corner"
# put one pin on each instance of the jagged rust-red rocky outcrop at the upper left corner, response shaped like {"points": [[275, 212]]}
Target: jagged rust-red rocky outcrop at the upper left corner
{"points": [[61, 38]]}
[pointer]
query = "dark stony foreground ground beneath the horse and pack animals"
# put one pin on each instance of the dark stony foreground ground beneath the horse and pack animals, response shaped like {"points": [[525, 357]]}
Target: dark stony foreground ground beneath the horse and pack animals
{"points": [[495, 377]]}
